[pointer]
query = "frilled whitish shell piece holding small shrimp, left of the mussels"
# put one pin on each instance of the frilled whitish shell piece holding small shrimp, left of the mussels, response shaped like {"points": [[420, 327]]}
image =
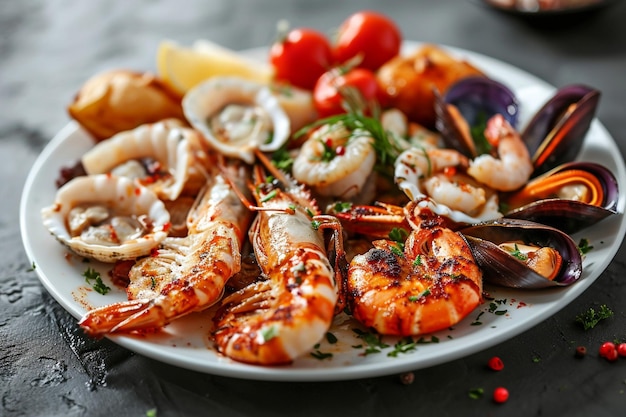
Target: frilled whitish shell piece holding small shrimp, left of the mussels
{"points": [[435, 177]]}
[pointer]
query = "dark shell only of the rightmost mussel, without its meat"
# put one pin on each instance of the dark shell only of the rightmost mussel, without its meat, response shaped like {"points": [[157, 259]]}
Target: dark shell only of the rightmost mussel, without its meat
{"points": [[570, 216]]}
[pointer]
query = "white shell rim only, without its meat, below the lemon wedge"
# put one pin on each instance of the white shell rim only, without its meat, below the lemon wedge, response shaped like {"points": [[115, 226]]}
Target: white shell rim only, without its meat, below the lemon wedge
{"points": [[210, 97]]}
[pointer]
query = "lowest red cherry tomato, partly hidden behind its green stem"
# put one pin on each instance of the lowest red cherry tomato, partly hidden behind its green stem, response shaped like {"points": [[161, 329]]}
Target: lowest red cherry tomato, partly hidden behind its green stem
{"points": [[331, 90]]}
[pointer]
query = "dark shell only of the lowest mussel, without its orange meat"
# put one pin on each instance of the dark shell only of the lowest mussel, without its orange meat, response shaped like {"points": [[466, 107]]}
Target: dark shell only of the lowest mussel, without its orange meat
{"points": [[501, 268]]}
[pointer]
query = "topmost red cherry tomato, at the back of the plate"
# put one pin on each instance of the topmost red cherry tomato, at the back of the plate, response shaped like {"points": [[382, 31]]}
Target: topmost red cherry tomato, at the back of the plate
{"points": [[371, 34]]}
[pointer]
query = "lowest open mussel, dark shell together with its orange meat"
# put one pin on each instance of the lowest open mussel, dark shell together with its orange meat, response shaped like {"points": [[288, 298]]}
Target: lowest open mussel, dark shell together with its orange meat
{"points": [[523, 254]]}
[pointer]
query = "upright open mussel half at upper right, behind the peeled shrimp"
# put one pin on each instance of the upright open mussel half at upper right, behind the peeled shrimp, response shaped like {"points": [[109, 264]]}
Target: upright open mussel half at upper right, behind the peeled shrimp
{"points": [[556, 132]]}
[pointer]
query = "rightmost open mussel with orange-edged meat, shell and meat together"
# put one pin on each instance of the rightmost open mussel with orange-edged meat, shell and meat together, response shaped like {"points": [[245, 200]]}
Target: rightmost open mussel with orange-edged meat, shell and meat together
{"points": [[570, 197]]}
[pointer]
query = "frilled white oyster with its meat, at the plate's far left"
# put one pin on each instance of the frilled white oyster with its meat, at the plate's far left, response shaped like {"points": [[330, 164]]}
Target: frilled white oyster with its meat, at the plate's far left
{"points": [[107, 218]]}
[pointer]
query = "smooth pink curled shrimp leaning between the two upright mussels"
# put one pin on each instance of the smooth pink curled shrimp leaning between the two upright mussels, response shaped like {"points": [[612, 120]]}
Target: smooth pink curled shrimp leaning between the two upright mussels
{"points": [[512, 168]]}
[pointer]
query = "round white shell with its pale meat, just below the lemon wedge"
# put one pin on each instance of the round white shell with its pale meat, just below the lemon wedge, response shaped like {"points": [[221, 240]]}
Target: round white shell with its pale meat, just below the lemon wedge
{"points": [[237, 116]]}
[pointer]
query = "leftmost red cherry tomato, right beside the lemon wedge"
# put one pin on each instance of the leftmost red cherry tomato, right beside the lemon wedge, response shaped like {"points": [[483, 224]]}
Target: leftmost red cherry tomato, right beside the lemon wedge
{"points": [[301, 57]]}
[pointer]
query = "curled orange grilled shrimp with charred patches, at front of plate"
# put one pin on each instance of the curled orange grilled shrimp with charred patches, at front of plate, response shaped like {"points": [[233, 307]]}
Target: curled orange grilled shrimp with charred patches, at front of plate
{"points": [[431, 285]]}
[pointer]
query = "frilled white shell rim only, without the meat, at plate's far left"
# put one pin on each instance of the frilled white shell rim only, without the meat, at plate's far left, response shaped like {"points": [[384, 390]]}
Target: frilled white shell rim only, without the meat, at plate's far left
{"points": [[121, 193]]}
